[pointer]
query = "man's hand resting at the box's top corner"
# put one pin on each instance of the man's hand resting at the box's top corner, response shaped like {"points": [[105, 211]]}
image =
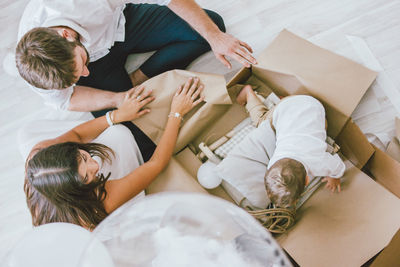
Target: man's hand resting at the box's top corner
{"points": [[224, 44]]}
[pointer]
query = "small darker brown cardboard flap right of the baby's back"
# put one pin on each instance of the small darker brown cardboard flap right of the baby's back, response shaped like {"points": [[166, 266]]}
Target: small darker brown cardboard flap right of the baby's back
{"points": [[354, 145]]}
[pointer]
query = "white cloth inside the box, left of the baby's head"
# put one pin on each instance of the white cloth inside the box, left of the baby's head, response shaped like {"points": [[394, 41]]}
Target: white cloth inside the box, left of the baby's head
{"points": [[245, 159]]}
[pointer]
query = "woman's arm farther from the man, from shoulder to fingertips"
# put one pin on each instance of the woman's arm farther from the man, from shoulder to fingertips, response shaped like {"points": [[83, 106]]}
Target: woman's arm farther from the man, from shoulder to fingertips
{"points": [[121, 190]]}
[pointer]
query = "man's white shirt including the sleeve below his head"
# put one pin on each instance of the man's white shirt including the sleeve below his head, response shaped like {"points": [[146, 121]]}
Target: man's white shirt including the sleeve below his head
{"points": [[100, 23]]}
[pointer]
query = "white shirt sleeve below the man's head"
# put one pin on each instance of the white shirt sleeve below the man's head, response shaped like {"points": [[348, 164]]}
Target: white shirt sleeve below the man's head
{"points": [[57, 99]]}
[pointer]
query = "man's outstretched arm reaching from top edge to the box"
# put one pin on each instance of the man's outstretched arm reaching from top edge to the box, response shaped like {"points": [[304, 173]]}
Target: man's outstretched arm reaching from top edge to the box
{"points": [[221, 43]]}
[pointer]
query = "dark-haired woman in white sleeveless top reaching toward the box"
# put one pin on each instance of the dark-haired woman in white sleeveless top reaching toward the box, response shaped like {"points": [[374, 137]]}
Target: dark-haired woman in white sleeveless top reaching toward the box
{"points": [[65, 183]]}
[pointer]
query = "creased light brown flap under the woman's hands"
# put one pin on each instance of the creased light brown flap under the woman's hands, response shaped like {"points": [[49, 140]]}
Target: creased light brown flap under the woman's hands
{"points": [[164, 87]]}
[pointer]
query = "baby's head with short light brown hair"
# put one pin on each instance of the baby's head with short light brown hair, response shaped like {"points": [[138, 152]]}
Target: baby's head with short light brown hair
{"points": [[285, 181]]}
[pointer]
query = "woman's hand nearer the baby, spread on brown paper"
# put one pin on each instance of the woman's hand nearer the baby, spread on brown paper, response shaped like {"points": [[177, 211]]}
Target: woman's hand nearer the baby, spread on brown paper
{"points": [[187, 96]]}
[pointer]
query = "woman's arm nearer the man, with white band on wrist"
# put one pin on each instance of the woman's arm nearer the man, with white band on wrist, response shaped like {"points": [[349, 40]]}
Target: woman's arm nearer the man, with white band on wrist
{"points": [[130, 109]]}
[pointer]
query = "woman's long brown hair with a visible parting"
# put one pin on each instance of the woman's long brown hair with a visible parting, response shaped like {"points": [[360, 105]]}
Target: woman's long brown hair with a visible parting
{"points": [[55, 192]]}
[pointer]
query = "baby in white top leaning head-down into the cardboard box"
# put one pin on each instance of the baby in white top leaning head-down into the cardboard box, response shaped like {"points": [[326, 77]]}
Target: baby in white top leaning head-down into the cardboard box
{"points": [[300, 152]]}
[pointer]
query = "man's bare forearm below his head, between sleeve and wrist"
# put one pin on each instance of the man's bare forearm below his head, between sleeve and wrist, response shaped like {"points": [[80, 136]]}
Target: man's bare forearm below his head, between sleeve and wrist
{"points": [[90, 99]]}
